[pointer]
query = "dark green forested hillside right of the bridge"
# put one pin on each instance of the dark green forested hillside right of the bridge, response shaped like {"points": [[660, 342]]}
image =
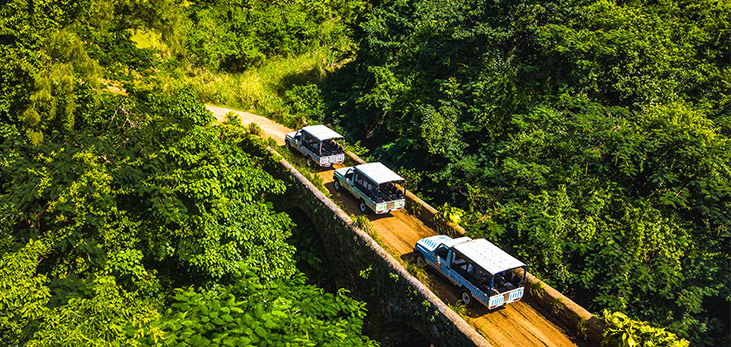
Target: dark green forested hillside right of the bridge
{"points": [[589, 138]]}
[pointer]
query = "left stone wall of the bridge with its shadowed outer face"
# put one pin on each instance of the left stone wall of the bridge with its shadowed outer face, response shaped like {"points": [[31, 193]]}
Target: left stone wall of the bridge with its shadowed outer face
{"points": [[394, 297]]}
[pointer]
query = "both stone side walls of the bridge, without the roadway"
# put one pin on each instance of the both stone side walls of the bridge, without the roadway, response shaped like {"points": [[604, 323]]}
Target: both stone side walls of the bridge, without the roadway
{"points": [[396, 300]]}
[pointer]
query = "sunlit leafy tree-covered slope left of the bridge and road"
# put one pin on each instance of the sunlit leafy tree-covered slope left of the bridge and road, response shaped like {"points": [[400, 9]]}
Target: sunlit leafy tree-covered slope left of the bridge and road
{"points": [[132, 219]]}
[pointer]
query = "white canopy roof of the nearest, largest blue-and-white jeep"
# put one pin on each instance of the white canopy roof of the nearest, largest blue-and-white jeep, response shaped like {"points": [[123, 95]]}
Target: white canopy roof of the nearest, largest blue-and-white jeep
{"points": [[488, 256]]}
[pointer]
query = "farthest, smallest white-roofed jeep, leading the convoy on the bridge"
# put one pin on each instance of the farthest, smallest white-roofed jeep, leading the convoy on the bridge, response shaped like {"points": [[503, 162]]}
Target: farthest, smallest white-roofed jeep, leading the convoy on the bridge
{"points": [[319, 144]]}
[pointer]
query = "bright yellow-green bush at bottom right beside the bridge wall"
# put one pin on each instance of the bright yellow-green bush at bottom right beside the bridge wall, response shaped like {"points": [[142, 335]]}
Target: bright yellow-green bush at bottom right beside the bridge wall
{"points": [[625, 332]]}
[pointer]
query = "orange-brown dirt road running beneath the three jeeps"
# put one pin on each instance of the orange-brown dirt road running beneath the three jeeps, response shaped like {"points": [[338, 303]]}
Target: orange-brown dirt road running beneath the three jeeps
{"points": [[516, 324]]}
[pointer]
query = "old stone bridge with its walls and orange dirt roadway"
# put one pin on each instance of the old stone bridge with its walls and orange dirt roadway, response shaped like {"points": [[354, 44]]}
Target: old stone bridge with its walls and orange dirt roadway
{"points": [[395, 299]]}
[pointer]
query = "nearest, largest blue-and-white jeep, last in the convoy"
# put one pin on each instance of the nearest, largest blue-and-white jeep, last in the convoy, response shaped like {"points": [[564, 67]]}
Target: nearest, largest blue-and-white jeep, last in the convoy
{"points": [[480, 269]]}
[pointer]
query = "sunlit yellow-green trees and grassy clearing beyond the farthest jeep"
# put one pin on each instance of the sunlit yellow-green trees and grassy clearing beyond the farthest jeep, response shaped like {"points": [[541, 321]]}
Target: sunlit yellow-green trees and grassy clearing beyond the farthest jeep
{"points": [[251, 55]]}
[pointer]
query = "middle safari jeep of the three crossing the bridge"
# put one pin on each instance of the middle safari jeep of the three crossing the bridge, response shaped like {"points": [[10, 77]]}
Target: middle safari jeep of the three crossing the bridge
{"points": [[374, 185]]}
